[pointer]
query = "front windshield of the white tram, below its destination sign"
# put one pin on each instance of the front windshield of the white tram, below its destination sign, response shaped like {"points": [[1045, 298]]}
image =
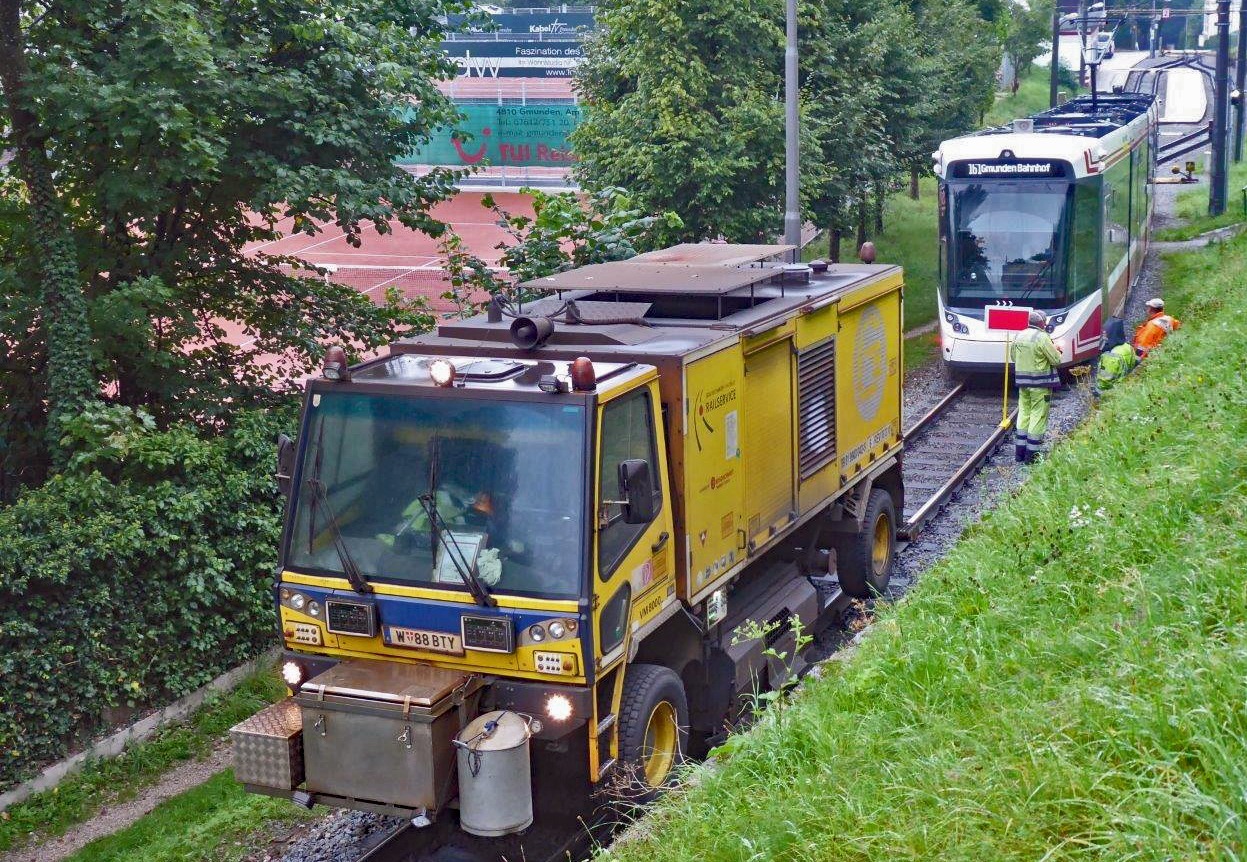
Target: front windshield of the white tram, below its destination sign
{"points": [[1009, 241]]}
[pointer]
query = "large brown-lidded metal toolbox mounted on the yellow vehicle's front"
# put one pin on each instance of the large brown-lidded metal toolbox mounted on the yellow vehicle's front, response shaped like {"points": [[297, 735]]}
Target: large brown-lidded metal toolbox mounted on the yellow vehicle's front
{"points": [[382, 732]]}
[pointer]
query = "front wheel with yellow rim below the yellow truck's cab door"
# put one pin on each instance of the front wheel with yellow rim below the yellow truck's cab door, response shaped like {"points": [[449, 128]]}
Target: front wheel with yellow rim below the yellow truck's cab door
{"points": [[654, 730]]}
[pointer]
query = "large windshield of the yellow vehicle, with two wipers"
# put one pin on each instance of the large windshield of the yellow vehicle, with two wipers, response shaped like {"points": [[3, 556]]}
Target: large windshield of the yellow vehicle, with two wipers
{"points": [[415, 488]]}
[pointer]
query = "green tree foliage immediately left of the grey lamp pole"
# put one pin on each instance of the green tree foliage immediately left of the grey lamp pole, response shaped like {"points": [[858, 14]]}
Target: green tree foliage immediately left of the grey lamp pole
{"points": [[683, 113]]}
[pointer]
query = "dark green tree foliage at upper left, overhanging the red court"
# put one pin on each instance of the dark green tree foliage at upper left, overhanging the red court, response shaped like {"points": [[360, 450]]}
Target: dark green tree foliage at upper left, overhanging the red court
{"points": [[181, 135]]}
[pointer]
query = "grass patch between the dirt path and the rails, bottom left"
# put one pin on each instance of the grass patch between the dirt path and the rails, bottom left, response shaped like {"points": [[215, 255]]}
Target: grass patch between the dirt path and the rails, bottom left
{"points": [[218, 821]]}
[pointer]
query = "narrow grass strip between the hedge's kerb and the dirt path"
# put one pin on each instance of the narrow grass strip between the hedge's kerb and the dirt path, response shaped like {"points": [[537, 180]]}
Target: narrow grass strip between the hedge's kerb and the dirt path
{"points": [[108, 782]]}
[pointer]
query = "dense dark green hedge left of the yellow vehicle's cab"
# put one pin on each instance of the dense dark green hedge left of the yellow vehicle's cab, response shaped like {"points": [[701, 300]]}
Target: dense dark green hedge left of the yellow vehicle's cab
{"points": [[133, 578]]}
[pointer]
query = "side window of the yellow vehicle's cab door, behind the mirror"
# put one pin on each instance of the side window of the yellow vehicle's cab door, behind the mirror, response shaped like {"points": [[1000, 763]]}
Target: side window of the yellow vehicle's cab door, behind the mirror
{"points": [[628, 433]]}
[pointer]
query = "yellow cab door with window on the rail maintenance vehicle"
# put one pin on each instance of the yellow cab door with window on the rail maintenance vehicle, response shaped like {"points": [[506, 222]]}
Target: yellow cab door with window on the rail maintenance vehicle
{"points": [[634, 563]]}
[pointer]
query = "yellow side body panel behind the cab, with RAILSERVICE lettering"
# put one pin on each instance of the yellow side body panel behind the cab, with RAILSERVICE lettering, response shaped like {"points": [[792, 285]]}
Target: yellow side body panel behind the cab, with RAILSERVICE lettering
{"points": [[741, 477]]}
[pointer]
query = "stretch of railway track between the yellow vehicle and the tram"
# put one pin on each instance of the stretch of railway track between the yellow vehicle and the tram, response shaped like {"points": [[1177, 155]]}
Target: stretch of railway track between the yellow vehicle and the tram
{"points": [[946, 448]]}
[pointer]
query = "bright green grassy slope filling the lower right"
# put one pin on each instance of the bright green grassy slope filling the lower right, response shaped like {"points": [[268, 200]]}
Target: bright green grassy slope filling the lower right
{"points": [[1068, 683]]}
